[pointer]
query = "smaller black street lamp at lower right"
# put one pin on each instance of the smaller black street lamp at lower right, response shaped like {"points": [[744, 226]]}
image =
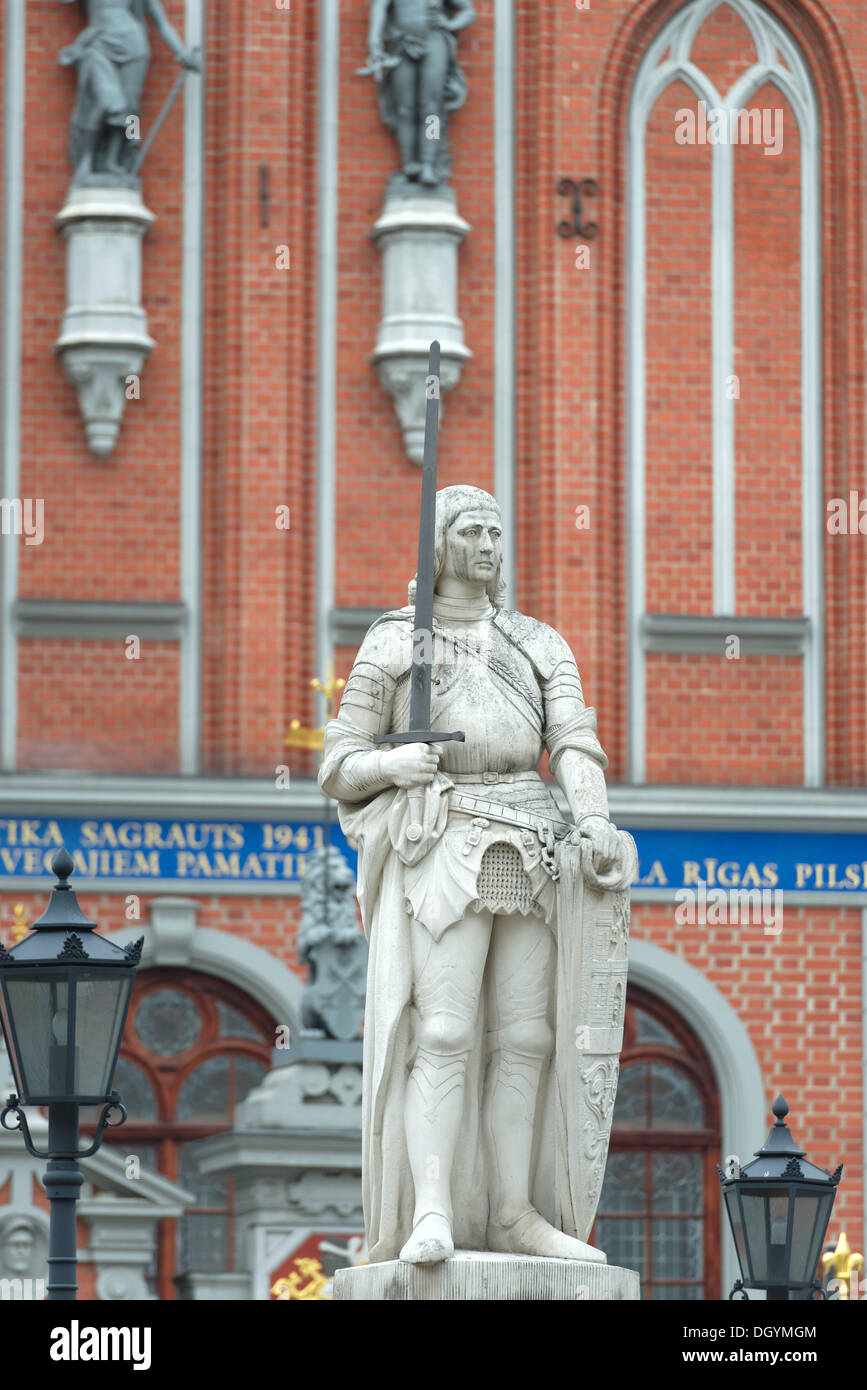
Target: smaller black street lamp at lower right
{"points": [[779, 1209]]}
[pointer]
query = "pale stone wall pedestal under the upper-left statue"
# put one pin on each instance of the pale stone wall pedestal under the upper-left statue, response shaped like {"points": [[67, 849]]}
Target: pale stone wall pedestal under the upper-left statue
{"points": [[104, 341]]}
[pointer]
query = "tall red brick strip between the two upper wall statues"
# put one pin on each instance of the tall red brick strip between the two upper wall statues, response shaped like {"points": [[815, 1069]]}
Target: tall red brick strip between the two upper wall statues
{"points": [[259, 382]]}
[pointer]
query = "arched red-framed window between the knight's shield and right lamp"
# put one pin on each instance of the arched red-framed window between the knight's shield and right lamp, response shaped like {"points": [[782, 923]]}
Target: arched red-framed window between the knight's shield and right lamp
{"points": [[659, 1211]]}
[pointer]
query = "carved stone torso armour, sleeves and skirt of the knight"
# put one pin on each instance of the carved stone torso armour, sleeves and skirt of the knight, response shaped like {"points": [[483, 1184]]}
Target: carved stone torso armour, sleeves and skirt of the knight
{"points": [[511, 683]]}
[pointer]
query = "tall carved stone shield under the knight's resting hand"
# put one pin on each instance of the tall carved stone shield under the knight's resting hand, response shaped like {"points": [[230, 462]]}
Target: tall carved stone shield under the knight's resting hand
{"points": [[593, 935]]}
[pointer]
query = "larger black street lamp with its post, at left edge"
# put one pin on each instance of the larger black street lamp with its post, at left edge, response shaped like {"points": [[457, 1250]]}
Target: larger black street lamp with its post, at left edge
{"points": [[65, 993]]}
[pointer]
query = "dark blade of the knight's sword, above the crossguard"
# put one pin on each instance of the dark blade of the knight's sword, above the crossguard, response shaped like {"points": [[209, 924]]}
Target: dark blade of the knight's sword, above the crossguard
{"points": [[423, 625]]}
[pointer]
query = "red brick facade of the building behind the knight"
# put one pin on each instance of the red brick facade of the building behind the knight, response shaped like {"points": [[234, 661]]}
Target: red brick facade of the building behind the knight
{"points": [[113, 525]]}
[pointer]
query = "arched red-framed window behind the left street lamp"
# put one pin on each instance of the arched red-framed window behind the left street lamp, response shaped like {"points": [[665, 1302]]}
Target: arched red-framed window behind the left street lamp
{"points": [[194, 1049]]}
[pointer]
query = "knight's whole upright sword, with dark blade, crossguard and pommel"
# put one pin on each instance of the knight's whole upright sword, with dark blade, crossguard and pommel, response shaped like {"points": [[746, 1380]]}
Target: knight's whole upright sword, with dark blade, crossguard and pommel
{"points": [[420, 729]]}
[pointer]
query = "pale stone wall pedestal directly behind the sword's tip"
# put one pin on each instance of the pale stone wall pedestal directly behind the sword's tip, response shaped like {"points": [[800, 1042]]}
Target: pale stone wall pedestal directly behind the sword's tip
{"points": [[419, 237]]}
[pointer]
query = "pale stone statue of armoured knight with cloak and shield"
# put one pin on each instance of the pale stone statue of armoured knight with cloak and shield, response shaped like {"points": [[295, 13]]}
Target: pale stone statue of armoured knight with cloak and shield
{"points": [[497, 981]]}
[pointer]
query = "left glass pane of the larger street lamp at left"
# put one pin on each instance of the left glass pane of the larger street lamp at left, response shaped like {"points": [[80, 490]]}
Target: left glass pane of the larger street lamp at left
{"points": [[35, 1021]]}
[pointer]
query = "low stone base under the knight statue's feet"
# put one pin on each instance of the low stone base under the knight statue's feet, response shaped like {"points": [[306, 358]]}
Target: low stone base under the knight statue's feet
{"points": [[476, 1277]]}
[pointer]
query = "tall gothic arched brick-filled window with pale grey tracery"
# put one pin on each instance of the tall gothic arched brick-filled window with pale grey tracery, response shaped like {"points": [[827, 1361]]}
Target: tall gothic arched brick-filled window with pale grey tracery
{"points": [[725, 390]]}
